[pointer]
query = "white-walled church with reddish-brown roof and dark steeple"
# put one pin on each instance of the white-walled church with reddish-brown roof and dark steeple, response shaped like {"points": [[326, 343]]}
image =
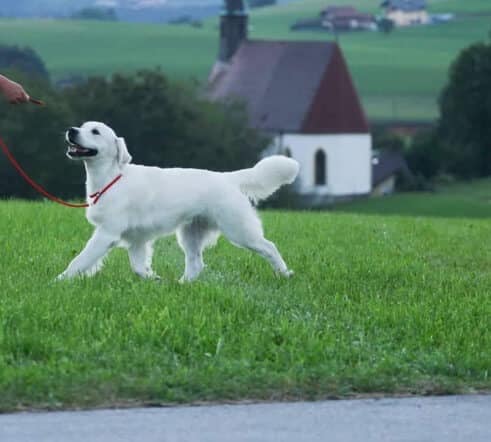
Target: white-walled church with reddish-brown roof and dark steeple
{"points": [[302, 94]]}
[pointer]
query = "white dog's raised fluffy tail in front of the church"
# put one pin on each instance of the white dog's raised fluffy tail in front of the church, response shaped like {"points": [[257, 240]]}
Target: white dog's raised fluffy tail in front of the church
{"points": [[266, 177]]}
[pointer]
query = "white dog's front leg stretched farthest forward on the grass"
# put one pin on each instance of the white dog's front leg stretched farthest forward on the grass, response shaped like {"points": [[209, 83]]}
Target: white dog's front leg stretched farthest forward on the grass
{"points": [[95, 250]]}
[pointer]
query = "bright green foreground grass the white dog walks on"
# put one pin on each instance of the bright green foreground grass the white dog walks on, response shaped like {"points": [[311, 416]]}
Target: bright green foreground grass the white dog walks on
{"points": [[377, 305]]}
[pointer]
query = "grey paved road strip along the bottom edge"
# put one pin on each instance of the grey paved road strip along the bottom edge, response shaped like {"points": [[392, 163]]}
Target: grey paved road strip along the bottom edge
{"points": [[441, 419]]}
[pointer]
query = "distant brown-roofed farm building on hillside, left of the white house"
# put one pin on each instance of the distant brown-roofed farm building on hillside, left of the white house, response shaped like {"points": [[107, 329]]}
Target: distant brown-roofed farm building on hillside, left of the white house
{"points": [[347, 18]]}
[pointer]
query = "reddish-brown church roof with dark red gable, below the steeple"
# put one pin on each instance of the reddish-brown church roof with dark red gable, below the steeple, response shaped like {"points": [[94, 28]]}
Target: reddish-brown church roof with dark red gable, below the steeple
{"points": [[294, 86]]}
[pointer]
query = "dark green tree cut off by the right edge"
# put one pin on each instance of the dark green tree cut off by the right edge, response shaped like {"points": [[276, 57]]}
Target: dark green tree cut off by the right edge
{"points": [[465, 108]]}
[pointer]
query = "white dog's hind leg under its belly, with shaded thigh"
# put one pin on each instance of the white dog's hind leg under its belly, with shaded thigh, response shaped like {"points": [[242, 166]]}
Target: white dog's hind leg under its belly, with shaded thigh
{"points": [[193, 238]]}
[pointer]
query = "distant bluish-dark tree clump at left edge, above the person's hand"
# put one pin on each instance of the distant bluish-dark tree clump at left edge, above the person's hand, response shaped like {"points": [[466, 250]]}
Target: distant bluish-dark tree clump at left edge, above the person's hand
{"points": [[22, 59]]}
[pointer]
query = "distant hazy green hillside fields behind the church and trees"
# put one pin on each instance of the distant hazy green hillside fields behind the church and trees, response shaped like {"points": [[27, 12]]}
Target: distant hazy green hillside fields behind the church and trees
{"points": [[399, 76]]}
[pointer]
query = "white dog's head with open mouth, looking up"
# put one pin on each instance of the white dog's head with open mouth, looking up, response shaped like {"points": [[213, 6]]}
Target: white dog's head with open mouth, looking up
{"points": [[95, 141]]}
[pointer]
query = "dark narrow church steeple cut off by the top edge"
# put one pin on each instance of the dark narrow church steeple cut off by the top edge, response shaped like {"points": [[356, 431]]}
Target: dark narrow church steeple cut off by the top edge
{"points": [[233, 28]]}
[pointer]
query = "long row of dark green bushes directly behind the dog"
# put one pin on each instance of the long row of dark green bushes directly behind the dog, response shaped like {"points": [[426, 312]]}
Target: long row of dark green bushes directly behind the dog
{"points": [[164, 124]]}
